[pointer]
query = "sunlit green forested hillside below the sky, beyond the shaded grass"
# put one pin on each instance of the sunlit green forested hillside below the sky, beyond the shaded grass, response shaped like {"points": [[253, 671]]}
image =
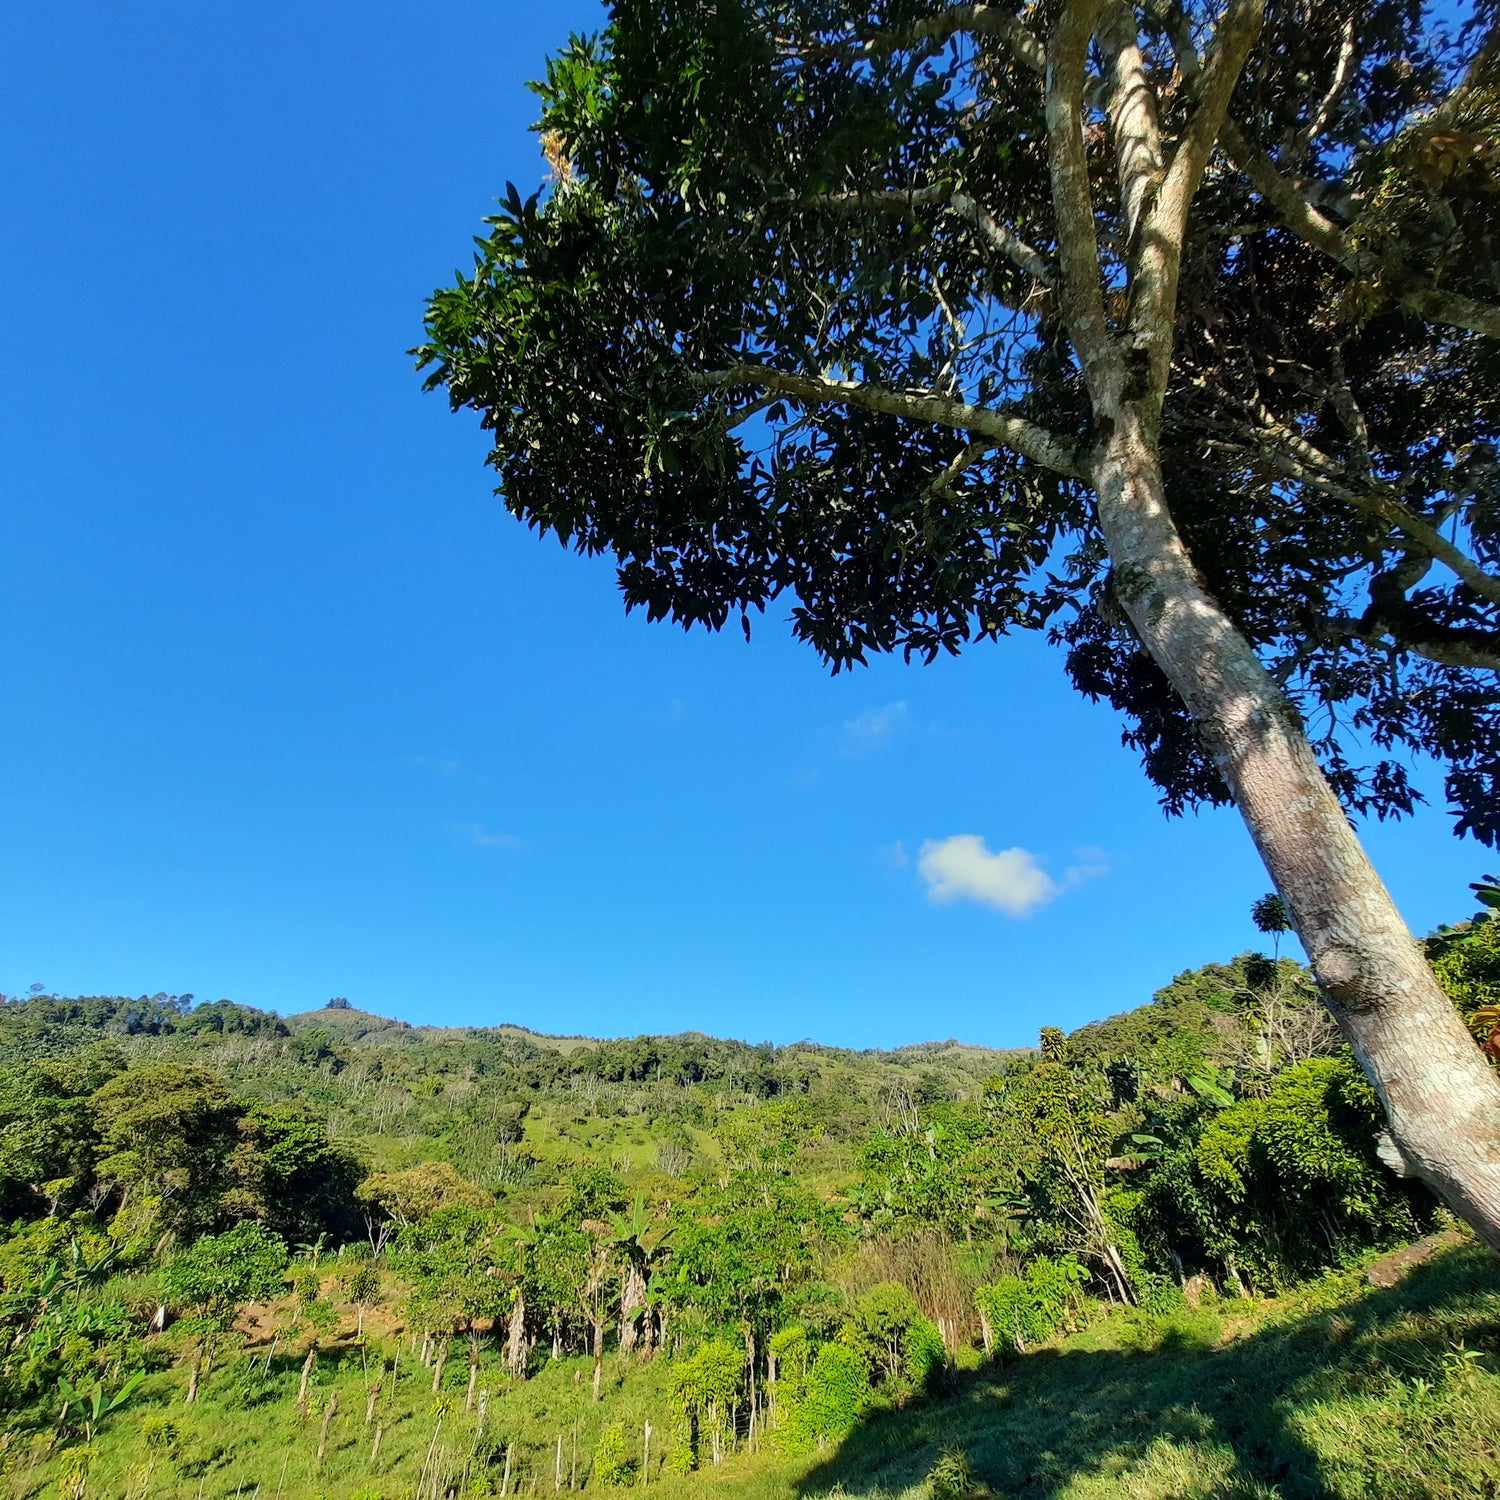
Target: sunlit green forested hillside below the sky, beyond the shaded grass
{"points": [[733, 1249]]}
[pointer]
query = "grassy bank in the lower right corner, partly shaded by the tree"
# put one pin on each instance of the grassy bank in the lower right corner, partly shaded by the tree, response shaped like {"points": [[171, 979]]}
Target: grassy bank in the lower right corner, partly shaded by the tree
{"points": [[1361, 1393]]}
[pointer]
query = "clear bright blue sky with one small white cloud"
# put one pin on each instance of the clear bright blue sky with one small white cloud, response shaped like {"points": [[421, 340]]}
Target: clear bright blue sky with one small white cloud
{"points": [[295, 710]]}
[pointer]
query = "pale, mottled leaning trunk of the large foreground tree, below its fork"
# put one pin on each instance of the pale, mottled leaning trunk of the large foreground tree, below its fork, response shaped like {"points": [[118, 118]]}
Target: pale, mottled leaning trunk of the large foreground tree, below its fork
{"points": [[1441, 1097]]}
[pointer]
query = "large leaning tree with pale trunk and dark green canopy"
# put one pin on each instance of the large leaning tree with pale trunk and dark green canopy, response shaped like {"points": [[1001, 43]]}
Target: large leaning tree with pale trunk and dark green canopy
{"points": [[1163, 329]]}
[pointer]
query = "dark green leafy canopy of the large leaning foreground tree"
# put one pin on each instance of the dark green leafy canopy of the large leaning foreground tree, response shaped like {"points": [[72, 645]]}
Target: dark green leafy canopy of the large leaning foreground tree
{"points": [[605, 328]]}
